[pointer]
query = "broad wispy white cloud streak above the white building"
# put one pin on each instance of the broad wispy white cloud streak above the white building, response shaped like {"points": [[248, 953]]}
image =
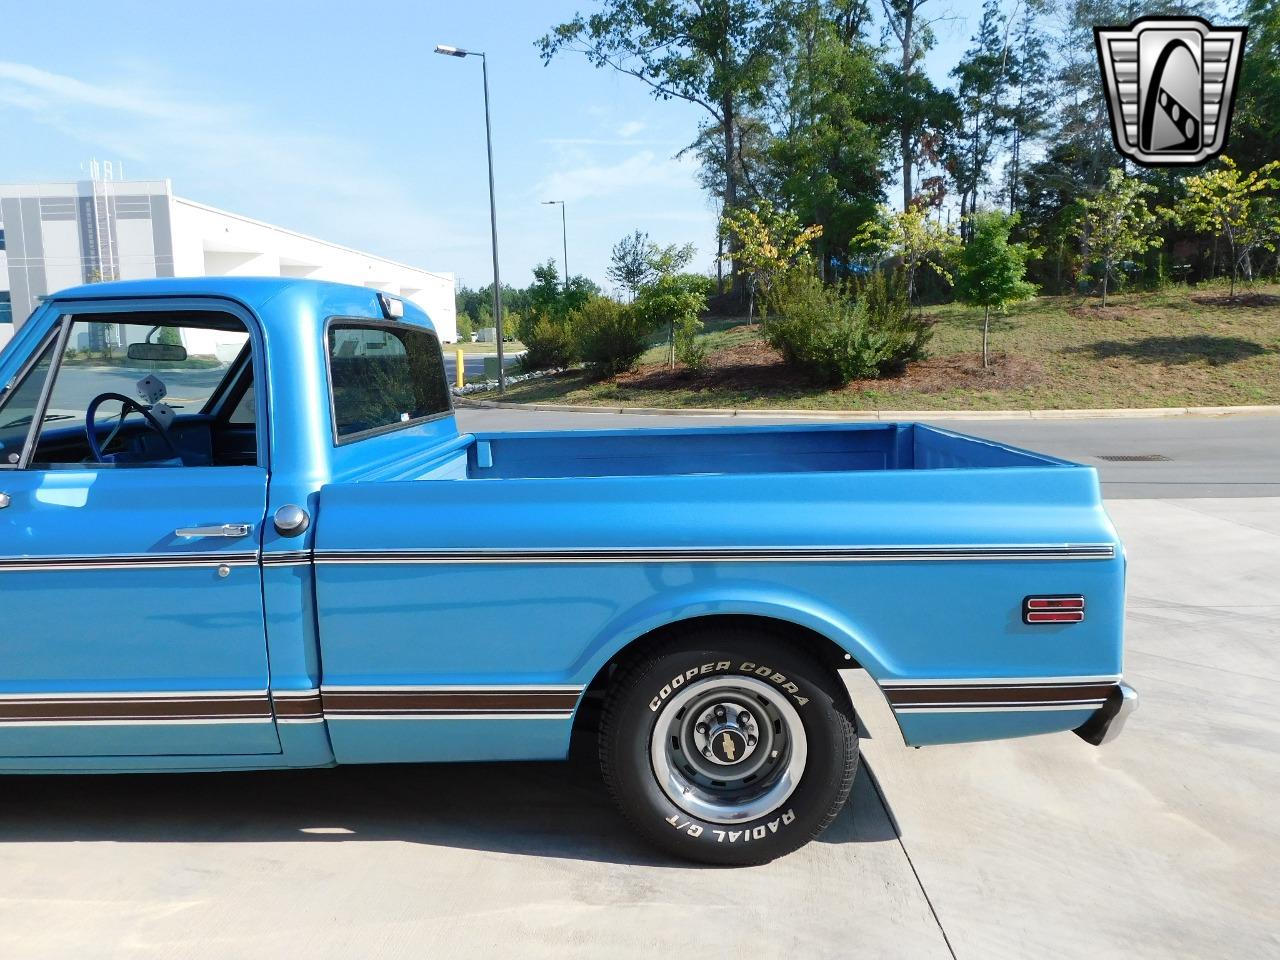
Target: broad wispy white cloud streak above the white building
{"points": [[230, 156]]}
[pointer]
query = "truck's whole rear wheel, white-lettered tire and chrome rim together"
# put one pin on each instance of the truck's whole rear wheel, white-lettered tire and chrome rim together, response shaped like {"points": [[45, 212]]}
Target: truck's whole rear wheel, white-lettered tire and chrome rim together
{"points": [[728, 747]]}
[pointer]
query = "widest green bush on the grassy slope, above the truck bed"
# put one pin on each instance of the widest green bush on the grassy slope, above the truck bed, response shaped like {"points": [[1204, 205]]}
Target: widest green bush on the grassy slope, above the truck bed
{"points": [[844, 332]]}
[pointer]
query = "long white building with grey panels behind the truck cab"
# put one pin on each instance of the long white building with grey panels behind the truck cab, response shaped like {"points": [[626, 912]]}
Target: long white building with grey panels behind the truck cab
{"points": [[62, 235]]}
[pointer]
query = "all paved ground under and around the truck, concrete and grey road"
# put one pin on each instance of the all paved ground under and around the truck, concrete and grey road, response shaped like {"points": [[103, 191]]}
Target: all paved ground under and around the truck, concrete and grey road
{"points": [[1163, 844]]}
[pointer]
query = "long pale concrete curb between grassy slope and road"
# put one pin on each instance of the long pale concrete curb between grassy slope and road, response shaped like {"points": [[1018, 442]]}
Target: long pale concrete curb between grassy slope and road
{"points": [[874, 415]]}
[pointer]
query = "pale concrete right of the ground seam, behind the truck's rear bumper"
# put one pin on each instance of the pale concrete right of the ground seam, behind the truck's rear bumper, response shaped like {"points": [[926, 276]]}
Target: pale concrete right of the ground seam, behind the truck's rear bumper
{"points": [[1162, 844]]}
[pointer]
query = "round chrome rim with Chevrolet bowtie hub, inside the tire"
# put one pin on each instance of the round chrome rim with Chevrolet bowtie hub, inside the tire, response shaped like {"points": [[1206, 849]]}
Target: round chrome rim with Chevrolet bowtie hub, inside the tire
{"points": [[729, 749]]}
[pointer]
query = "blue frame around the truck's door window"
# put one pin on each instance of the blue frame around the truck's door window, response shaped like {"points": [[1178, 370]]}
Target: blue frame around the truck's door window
{"points": [[70, 312]]}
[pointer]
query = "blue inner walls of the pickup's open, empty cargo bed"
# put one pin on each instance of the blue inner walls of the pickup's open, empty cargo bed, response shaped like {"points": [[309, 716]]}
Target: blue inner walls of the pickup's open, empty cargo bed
{"points": [[747, 450]]}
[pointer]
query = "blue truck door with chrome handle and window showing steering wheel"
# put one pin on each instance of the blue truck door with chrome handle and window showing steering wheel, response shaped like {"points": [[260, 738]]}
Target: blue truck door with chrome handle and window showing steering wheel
{"points": [[131, 604]]}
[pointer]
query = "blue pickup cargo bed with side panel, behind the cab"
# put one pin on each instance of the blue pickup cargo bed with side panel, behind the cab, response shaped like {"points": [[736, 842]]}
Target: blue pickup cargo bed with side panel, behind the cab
{"points": [[912, 547]]}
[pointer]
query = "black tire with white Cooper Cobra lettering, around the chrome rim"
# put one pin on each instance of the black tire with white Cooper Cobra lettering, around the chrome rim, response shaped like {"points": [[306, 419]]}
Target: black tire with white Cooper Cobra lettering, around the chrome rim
{"points": [[638, 705]]}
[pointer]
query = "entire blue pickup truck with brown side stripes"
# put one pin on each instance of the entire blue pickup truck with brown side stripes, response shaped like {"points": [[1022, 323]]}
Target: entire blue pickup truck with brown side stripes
{"points": [[240, 529]]}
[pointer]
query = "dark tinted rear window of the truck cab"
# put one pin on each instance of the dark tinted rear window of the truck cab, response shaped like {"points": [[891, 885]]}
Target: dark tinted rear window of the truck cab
{"points": [[385, 377]]}
